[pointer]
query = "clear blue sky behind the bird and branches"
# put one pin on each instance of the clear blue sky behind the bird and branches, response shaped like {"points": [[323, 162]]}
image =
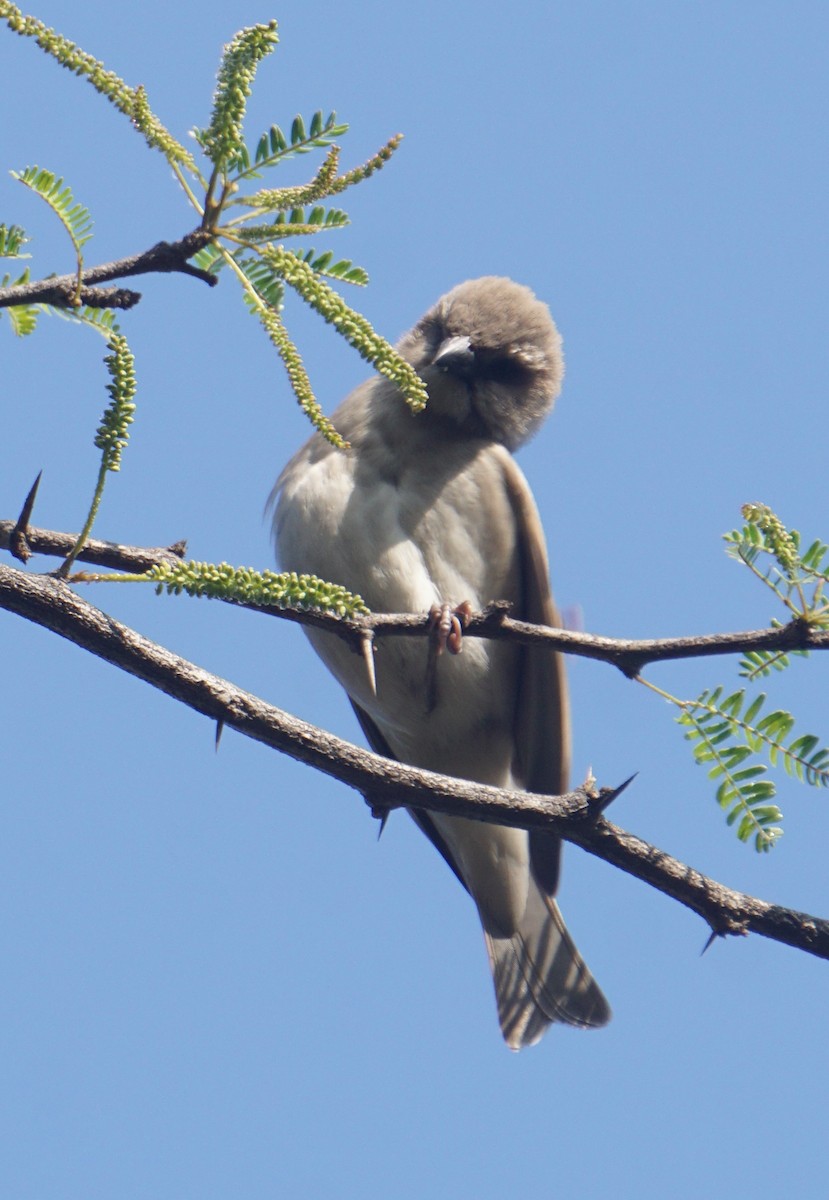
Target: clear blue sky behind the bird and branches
{"points": [[215, 983]]}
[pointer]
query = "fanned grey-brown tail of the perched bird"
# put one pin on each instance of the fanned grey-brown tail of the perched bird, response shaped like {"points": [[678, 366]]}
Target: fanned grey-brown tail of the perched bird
{"points": [[540, 977]]}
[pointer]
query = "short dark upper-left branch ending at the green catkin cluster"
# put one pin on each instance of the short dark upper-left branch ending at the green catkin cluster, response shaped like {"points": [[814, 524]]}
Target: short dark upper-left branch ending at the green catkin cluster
{"points": [[63, 290]]}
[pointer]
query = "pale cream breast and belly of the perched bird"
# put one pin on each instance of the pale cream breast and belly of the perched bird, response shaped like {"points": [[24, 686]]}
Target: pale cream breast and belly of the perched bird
{"points": [[440, 531]]}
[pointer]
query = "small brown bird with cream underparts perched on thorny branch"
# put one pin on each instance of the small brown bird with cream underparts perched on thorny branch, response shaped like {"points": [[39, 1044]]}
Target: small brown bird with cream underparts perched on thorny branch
{"points": [[430, 513]]}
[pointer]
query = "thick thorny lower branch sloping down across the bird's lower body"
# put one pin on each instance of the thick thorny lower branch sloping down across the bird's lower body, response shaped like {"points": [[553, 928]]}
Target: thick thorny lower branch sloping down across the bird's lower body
{"points": [[575, 817]]}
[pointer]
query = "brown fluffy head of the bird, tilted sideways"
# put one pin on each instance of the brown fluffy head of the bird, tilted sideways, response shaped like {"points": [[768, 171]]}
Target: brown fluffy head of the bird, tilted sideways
{"points": [[491, 358]]}
